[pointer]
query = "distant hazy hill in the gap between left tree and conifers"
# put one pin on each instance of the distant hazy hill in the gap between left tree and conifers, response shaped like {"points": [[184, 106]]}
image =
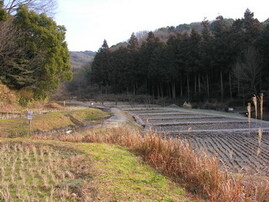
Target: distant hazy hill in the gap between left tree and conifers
{"points": [[80, 58]]}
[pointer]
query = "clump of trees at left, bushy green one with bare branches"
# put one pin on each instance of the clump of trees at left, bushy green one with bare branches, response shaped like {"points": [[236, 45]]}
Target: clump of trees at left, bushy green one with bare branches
{"points": [[33, 53]]}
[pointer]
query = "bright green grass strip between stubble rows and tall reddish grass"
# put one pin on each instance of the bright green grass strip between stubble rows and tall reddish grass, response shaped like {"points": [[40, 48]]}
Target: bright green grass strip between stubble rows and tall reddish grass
{"points": [[127, 178]]}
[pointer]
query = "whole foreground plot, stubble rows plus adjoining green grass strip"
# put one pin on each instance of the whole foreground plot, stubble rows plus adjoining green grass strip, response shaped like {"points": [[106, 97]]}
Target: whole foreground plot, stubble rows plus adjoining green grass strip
{"points": [[41, 171]]}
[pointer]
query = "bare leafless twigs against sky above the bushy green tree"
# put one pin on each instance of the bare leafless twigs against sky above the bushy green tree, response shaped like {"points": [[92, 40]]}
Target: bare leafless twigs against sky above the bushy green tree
{"points": [[40, 6]]}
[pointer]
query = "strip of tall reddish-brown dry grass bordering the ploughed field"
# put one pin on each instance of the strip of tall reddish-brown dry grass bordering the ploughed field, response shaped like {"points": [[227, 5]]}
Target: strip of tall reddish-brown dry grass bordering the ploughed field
{"points": [[198, 172]]}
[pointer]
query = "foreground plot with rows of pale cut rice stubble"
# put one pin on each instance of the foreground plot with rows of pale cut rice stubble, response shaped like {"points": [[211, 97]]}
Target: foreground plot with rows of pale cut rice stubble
{"points": [[32, 172]]}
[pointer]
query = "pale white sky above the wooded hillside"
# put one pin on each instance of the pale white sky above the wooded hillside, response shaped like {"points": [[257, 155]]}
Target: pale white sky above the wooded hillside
{"points": [[89, 22]]}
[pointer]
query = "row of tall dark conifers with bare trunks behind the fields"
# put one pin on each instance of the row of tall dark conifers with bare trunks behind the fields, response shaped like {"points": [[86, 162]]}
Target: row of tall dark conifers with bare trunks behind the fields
{"points": [[225, 60]]}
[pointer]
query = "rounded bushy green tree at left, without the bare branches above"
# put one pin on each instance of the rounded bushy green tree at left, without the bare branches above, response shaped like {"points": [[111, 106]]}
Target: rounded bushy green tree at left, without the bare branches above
{"points": [[38, 59]]}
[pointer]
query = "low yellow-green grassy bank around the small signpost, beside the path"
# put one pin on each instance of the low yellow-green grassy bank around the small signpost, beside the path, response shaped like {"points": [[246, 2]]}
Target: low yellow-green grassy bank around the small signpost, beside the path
{"points": [[49, 121]]}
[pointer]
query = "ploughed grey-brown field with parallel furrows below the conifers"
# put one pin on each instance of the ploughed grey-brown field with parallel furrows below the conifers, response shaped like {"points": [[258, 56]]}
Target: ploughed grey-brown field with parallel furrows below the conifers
{"points": [[241, 145]]}
